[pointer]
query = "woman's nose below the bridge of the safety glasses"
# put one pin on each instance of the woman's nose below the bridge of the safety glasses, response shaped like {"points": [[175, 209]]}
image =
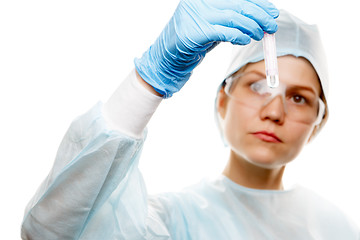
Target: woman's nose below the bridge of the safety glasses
{"points": [[274, 110]]}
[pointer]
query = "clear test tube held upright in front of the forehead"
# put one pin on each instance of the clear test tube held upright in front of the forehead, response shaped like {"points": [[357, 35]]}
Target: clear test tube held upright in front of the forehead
{"points": [[271, 68]]}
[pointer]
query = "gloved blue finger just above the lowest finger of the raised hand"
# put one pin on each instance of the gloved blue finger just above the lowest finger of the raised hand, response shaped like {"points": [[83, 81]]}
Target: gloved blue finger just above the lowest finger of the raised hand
{"points": [[232, 19]]}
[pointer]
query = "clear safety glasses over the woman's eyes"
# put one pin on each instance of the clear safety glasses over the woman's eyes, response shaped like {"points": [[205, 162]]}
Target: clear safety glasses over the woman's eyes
{"points": [[299, 103]]}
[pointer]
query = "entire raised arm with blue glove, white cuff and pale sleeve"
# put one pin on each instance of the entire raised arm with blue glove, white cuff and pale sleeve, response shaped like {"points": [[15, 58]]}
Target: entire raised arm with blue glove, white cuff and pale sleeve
{"points": [[95, 189]]}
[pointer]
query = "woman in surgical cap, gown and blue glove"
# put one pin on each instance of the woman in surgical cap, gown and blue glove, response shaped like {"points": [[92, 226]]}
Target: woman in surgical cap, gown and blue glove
{"points": [[95, 189]]}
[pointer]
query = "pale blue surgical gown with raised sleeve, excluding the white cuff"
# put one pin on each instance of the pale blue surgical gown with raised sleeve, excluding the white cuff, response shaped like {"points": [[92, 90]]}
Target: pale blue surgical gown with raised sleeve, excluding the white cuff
{"points": [[96, 191]]}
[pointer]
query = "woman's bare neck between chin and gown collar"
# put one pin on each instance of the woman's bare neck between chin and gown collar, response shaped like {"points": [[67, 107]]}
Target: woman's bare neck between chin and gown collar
{"points": [[249, 175]]}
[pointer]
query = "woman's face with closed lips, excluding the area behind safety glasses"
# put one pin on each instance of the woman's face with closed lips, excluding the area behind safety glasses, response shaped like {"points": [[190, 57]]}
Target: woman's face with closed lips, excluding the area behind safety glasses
{"points": [[265, 136]]}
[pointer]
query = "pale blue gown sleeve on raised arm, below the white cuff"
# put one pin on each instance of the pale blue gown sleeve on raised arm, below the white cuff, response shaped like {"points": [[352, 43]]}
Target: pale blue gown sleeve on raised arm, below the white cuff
{"points": [[95, 189]]}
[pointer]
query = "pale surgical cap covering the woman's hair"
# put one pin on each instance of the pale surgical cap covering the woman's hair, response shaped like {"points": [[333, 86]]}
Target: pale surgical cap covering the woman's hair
{"points": [[294, 37]]}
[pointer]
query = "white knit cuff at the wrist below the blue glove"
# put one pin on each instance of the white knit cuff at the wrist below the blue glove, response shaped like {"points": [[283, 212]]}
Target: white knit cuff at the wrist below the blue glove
{"points": [[130, 107]]}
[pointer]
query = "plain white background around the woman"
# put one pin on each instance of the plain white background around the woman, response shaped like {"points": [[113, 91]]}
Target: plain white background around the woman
{"points": [[58, 58]]}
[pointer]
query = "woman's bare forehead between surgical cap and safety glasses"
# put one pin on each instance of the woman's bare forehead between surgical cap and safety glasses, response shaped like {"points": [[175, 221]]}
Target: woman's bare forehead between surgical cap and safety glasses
{"points": [[293, 71]]}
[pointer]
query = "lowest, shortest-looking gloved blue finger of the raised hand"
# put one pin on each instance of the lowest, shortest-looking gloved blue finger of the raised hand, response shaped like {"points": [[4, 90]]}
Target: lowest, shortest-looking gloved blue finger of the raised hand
{"points": [[226, 34]]}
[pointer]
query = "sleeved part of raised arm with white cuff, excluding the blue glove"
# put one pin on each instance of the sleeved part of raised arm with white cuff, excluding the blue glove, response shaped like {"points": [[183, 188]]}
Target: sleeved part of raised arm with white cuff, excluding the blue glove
{"points": [[95, 188]]}
